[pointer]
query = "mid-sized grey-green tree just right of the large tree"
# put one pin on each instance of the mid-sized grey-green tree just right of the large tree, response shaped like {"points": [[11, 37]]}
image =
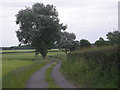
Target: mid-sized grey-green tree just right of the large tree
{"points": [[66, 41]]}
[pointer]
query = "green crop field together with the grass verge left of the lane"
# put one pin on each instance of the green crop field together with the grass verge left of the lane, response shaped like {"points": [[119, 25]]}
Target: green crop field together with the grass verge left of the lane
{"points": [[15, 63]]}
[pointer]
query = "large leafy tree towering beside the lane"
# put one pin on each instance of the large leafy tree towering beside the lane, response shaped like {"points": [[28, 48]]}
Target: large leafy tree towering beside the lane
{"points": [[39, 26]]}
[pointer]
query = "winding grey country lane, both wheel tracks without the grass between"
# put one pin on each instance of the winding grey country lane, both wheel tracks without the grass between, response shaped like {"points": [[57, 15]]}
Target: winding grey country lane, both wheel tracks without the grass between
{"points": [[37, 80]]}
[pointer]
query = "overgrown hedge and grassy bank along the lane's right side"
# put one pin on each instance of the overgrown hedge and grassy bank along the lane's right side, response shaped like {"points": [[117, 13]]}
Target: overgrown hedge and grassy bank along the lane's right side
{"points": [[92, 67]]}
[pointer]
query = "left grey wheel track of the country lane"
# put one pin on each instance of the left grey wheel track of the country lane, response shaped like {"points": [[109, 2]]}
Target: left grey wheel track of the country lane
{"points": [[37, 80]]}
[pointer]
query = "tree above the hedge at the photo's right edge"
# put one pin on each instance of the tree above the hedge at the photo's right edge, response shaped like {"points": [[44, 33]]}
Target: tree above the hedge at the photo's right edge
{"points": [[113, 37]]}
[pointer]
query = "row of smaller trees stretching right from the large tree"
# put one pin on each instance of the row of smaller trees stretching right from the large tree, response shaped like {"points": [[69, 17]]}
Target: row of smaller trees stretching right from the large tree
{"points": [[68, 42]]}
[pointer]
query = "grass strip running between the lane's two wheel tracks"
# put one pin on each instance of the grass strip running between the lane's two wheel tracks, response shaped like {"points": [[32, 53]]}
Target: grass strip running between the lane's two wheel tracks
{"points": [[48, 78]]}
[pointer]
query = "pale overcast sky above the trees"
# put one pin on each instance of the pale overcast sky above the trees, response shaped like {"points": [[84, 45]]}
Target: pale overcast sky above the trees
{"points": [[88, 19]]}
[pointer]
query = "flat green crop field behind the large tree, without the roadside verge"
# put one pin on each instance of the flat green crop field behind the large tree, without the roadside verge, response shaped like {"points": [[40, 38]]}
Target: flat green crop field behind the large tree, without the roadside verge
{"points": [[11, 61]]}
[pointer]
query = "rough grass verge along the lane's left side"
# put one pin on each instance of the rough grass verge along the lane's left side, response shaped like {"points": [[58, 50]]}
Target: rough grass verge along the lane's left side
{"points": [[17, 78]]}
